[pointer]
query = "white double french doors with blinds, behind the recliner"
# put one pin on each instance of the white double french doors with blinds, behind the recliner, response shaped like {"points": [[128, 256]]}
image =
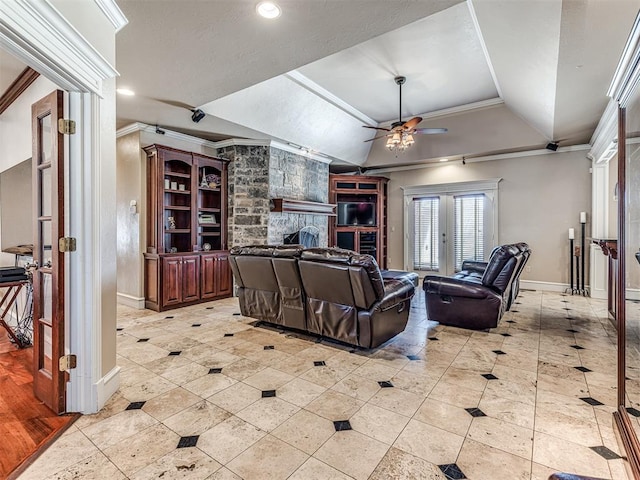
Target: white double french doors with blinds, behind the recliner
{"points": [[447, 228]]}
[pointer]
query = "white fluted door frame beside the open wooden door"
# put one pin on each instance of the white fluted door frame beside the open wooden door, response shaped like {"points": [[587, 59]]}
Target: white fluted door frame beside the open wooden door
{"points": [[41, 37]]}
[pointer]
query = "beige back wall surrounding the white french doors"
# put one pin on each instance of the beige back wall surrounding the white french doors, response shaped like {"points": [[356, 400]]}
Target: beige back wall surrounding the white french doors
{"points": [[540, 198]]}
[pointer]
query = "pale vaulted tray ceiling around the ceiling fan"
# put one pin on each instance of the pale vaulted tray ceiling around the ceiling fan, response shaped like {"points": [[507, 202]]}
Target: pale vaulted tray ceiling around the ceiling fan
{"points": [[500, 75]]}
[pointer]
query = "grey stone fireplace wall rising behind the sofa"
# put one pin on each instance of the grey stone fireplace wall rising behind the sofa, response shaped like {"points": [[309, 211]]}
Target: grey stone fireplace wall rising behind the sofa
{"points": [[258, 173]]}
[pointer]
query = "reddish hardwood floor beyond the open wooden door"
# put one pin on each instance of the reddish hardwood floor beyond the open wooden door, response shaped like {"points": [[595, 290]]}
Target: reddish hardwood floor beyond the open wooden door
{"points": [[25, 423]]}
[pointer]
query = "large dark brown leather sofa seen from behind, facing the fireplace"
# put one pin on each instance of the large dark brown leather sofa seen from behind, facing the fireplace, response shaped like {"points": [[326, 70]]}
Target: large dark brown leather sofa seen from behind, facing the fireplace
{"points": [[330, 292]]}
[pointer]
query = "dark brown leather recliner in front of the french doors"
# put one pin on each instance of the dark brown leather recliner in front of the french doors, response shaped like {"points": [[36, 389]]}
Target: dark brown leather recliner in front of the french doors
{"points": [[469, 302]]}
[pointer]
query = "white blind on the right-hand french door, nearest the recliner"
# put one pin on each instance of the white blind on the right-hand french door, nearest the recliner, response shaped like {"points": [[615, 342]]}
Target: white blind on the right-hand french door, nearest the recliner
{"points": [[468, 217]]}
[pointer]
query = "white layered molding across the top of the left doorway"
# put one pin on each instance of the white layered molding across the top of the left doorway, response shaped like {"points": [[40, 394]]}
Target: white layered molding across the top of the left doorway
{"points": [[41, 37]]}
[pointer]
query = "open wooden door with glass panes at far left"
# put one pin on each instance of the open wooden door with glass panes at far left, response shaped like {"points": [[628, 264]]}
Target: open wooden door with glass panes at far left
{"points": [[48, 277]]}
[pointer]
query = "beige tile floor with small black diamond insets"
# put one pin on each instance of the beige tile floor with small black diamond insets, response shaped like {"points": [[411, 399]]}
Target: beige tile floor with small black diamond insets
{"points": [[206, 395]]}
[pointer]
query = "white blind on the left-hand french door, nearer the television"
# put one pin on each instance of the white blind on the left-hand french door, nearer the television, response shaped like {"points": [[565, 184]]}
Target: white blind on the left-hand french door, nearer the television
{"points": [[425, 228]]}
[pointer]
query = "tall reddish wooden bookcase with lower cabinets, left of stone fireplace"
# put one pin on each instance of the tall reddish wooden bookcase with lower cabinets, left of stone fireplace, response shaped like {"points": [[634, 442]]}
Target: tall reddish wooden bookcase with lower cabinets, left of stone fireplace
{"points": [[187, 260]]}
